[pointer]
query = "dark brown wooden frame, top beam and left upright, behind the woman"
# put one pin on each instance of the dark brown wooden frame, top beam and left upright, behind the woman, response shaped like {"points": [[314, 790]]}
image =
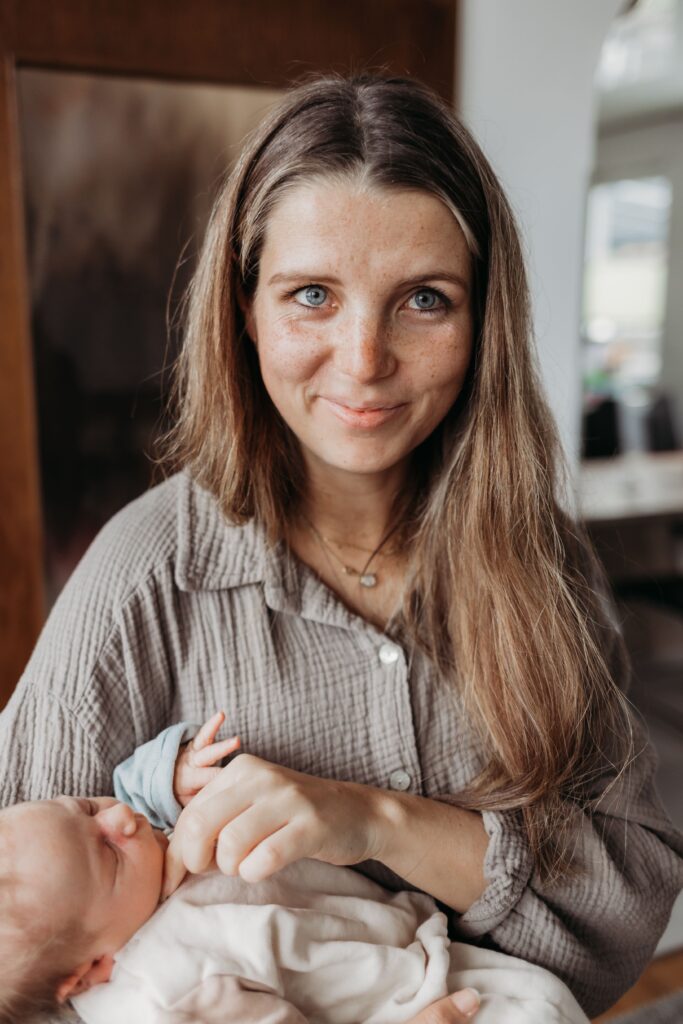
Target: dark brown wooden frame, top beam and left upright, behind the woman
{"points": [[235, 42]]}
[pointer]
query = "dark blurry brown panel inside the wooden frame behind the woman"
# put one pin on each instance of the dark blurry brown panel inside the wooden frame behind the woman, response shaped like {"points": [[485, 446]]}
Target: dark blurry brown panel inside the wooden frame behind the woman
{"points": [[119, 181]]}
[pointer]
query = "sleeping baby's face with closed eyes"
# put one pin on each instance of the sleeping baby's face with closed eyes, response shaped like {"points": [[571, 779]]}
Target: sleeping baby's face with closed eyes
{"points": [[92, 861]]}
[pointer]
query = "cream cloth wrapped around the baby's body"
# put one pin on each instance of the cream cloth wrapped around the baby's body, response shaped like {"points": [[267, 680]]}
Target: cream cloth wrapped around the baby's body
{"points": [[314, 945]]}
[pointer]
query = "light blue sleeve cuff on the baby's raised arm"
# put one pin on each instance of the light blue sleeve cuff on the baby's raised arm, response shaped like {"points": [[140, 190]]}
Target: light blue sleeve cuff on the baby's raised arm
{"points": [[145, 781]]}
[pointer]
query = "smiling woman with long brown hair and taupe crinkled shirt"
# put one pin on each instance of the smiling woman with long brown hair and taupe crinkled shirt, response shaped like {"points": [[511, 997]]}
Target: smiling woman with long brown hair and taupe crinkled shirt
{"points": [[365, 562]]}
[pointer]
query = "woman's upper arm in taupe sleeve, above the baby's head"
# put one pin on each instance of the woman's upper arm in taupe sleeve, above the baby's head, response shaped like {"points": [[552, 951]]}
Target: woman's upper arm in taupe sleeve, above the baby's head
{"points": [[99, 682]]}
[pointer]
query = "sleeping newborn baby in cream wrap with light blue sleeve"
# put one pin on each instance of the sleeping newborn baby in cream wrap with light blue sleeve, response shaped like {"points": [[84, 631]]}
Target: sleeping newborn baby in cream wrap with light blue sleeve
{"points": [[80, 882]]}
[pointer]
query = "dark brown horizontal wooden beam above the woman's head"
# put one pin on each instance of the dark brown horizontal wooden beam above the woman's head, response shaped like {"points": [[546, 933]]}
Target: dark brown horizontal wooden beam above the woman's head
{"points": [[267, 42]]}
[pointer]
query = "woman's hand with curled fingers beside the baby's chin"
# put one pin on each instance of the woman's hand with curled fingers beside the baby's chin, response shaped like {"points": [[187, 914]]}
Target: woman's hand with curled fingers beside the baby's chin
{"points": [[257, 818]]}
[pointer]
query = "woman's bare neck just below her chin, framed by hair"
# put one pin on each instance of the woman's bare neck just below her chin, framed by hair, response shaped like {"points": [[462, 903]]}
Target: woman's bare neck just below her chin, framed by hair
{"points": [[353, 506]]}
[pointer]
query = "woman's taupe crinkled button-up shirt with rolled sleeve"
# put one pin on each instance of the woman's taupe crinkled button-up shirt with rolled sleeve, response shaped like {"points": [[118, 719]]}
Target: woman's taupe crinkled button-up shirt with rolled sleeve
{"points": [[175, 614]]}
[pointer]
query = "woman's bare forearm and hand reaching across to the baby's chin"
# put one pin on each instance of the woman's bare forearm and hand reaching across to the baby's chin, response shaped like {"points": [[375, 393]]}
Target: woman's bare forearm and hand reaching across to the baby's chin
{"points": [[257, 818]]}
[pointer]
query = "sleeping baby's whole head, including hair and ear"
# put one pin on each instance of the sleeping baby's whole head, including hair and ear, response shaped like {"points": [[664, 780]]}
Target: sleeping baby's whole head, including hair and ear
{"points": [[78, 878]]}
